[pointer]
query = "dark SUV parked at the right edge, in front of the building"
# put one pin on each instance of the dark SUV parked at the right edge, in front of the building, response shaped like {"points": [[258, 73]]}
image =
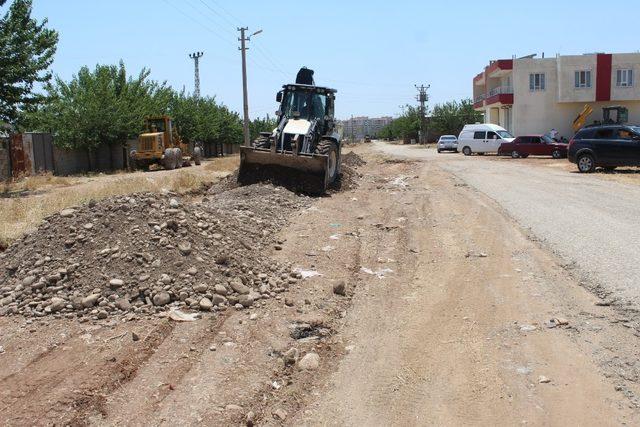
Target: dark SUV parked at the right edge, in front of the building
{"points": [[606, 146]]}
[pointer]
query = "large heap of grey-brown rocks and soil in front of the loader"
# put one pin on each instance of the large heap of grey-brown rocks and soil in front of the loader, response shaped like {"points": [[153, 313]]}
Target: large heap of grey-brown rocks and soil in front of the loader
{"points": [[138, 255]]}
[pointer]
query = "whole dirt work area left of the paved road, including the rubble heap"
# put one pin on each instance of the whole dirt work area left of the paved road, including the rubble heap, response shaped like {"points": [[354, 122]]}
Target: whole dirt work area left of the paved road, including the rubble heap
{"points": [[403, 298]]}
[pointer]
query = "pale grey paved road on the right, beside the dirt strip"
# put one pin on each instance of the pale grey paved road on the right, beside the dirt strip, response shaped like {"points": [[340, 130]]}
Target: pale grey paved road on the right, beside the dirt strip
{"points": [[583, 218]]}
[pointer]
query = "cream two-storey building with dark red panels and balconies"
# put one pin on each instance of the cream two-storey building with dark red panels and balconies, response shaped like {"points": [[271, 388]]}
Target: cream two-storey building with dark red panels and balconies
{"points": [[533, 95]]}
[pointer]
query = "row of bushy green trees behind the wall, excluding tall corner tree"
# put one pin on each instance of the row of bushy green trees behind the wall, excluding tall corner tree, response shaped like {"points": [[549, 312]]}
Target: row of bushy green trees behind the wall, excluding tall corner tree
{"points": [[106, 106]]}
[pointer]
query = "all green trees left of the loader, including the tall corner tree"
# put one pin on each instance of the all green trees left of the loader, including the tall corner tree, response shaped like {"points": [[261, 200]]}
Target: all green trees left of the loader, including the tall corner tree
{"points": [[103, 105]]}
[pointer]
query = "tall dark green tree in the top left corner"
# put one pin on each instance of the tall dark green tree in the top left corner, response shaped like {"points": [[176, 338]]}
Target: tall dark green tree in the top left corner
{"points": [[26, 52]]}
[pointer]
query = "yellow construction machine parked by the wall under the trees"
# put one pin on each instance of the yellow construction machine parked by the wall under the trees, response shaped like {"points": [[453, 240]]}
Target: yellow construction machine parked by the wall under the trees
{"points": [[161, 144]]}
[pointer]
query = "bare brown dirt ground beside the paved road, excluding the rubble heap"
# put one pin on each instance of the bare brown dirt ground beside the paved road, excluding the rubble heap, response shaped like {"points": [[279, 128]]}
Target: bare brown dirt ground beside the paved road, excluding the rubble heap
{"points": [[444, 322]]}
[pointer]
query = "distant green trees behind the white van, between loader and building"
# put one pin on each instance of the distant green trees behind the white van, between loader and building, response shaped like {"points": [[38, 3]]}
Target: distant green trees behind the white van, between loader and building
{"points": [[446, 118]]}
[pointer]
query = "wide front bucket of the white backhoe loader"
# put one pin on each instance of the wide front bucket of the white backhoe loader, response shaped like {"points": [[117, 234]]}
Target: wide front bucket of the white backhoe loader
{"points": [[301, 173]]}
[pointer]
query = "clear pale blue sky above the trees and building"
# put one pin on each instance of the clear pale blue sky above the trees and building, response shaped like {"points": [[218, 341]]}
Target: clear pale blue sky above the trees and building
{"points": [[373, 52]]}
